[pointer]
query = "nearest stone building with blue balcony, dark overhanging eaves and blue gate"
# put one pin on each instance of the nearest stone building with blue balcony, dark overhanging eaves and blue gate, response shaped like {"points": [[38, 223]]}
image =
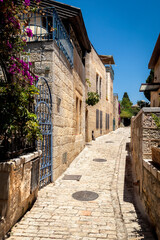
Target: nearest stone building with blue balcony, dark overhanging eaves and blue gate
{"points": [[57, 49]]}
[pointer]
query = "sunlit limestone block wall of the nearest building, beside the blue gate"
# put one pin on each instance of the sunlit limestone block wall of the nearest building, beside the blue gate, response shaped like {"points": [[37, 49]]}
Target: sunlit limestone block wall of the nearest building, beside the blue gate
{"points": [[66, 84]]}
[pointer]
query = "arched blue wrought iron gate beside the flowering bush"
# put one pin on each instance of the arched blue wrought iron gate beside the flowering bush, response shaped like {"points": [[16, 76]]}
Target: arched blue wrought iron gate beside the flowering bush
{"points": [[43, 111]]}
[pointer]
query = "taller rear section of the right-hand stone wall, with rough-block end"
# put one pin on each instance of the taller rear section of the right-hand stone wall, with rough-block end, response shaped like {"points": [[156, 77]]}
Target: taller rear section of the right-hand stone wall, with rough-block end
{"points": [[144, 136]]}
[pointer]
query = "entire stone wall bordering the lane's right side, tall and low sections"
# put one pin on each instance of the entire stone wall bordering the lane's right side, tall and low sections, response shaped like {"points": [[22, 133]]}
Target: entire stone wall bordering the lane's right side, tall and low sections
{"points": [[144, 136]]}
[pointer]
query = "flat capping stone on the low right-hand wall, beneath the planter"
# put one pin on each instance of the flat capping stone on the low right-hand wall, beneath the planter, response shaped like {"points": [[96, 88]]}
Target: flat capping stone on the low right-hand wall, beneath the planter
{"points": [[148, 164]]}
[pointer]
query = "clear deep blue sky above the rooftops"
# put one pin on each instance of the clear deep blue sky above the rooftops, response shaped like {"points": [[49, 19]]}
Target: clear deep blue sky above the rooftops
{"points": [[128, 30]]}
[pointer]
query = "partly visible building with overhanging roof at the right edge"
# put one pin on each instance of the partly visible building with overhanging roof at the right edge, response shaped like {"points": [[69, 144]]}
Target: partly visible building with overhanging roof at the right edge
{"points": [[154, 87]]}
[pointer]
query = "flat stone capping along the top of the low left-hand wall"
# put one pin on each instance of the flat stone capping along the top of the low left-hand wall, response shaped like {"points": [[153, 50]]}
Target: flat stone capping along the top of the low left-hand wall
{"points": [[6, 166]]}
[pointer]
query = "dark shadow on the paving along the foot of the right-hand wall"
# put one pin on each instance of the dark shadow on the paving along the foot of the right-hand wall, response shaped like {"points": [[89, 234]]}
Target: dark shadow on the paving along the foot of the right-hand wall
{"points": [[145, 230]]}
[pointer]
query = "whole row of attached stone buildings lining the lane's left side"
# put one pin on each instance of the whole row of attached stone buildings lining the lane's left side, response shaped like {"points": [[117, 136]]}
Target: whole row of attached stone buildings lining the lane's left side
{"points": [[62, 56]]}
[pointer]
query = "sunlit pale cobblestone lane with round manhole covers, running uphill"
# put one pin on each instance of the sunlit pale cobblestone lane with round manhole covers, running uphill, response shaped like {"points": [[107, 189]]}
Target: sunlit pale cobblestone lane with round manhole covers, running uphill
{"points": [[57, 215]]}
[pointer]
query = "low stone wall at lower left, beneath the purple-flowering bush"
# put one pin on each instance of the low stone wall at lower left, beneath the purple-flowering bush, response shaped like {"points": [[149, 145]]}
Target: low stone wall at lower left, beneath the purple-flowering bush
{"points": [[19, 180]]}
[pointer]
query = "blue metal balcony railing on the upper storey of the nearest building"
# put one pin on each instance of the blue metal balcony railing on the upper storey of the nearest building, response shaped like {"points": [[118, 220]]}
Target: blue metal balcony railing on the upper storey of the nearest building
{"points": [[46, 25]]}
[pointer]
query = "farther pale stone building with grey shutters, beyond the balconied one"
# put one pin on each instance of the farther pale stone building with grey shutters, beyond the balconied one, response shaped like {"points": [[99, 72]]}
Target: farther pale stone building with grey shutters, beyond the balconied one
{"points": [[99, 118]]}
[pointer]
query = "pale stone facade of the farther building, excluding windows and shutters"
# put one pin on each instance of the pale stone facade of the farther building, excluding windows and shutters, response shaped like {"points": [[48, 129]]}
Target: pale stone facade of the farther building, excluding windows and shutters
{"points": [[93, 67]]}
